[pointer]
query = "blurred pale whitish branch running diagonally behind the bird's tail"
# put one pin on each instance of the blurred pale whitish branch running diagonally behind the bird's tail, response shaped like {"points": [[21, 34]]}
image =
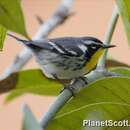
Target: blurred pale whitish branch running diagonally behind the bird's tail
{"points": [[58, 17]]}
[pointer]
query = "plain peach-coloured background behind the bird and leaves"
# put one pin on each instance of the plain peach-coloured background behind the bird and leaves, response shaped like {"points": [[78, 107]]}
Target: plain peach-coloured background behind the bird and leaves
{"points": [[91, 19]]}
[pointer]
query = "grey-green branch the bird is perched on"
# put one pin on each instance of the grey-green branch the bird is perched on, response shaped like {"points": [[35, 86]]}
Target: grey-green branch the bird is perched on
{"points": [[66, 95]]}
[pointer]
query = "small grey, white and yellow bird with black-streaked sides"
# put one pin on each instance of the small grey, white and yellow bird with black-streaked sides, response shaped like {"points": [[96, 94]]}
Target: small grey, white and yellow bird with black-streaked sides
{"points": [[66, 57]]}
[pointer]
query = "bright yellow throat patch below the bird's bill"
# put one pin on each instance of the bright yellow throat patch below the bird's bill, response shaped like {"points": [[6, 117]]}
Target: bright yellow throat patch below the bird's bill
{"points": [[93, 61]]}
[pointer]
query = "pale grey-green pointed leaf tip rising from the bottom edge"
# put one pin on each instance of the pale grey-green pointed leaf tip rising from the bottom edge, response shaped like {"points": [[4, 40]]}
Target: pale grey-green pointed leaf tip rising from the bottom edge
{"points": [[29, 121]]}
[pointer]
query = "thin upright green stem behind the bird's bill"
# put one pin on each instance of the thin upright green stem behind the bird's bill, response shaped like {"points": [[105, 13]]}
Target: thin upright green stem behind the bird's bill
{"points": [[108, 36]]}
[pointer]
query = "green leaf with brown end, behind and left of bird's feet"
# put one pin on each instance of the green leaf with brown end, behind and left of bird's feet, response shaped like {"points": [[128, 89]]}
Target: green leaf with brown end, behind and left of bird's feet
{"points": [[31, 81]]}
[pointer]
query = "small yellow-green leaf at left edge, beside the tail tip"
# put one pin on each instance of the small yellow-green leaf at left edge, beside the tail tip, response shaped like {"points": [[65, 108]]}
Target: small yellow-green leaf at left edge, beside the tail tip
{"points": [[2, 36]]}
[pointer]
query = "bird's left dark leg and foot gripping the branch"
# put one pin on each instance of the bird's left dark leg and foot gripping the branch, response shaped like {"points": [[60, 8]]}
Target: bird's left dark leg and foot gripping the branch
{"points": [[64, 85]]}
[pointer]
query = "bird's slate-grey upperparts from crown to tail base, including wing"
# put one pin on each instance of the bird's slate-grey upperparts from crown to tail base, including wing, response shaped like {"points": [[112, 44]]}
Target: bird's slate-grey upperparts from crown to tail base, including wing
{"points": [[71, 46]]}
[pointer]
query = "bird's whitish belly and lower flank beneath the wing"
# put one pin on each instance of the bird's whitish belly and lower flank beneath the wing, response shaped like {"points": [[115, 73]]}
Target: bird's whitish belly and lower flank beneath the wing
{"points": [[49, 67]]}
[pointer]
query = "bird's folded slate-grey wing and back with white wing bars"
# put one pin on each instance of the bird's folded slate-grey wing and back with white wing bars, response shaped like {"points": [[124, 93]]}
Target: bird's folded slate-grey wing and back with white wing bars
{"points": [[67, 46]]}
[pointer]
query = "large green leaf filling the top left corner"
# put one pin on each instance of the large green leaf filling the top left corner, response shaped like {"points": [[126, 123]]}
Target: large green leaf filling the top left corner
{"points": [[11, 16]]}
